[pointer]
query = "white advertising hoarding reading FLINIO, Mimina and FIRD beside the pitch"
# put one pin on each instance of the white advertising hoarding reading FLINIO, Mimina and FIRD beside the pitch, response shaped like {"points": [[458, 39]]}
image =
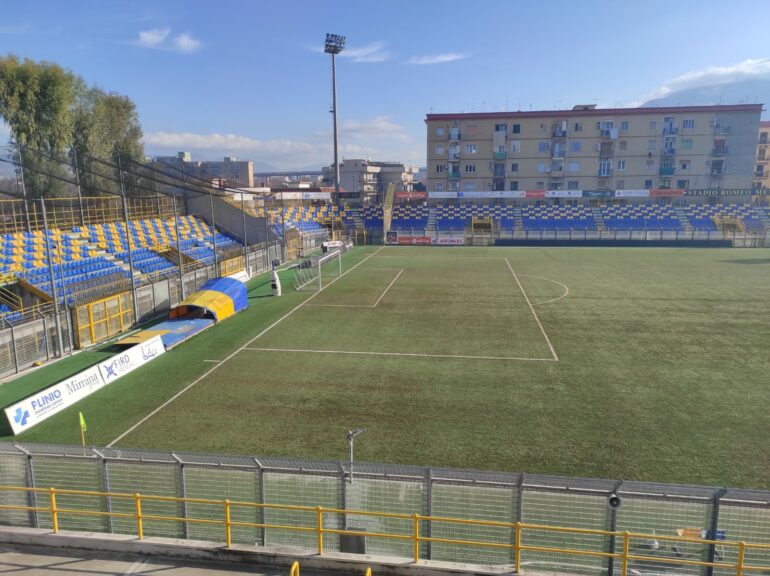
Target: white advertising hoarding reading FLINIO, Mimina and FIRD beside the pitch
{"points": [[32, 410]]}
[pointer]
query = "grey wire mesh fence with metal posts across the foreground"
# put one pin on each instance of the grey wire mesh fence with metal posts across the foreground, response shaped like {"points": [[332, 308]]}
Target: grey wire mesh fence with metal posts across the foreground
{"points": [[578, 507]]}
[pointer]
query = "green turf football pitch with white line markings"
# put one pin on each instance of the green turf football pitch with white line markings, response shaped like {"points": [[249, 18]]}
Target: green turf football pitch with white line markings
{"points": [[648, 364]]}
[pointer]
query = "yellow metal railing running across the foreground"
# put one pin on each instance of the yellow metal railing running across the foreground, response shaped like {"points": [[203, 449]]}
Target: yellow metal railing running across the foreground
{"points": [[317, 514]]}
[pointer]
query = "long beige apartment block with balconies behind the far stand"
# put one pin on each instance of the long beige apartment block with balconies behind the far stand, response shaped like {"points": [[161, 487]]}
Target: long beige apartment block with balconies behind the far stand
{"points": [[590, 148]]}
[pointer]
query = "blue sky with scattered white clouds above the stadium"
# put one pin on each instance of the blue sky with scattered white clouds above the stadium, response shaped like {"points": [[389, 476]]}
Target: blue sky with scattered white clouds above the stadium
{"points": [[250, 79]]}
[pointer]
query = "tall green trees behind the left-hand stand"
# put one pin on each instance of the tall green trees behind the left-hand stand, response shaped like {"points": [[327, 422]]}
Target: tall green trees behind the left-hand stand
{"points": [[57, 117]]}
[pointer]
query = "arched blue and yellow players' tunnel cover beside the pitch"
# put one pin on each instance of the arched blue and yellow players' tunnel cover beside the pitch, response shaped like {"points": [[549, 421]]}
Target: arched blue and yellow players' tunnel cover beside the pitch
{"points": [[217, 300]]}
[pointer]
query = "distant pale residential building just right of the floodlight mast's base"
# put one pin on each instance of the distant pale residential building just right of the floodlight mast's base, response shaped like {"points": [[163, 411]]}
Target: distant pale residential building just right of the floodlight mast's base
{"points": [[371, 178]]}
